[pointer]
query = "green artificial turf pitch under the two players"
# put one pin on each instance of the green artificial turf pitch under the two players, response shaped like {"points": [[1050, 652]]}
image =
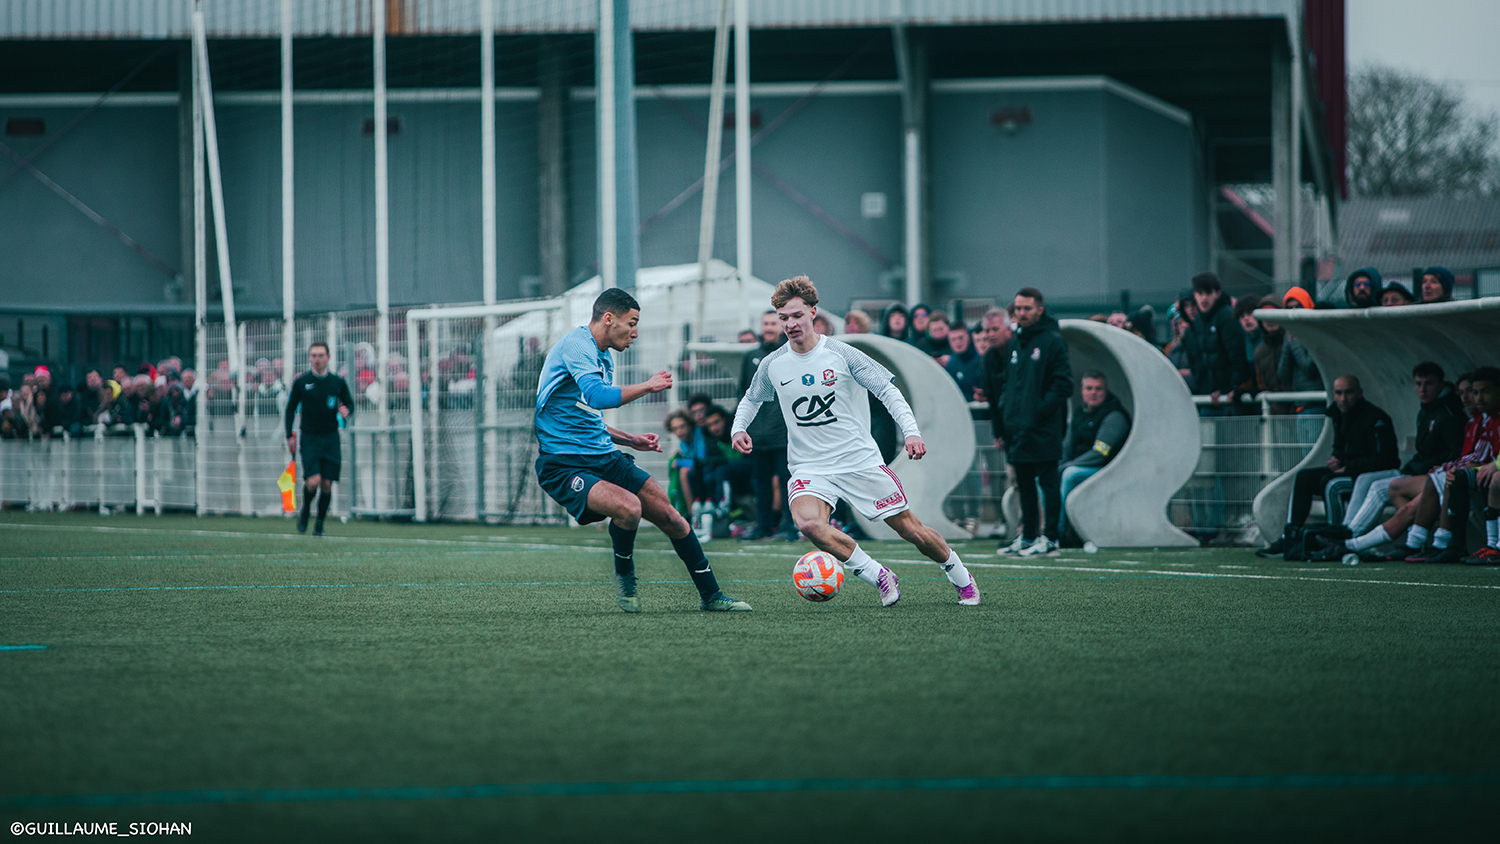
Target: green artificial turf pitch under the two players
{"points": [[467, 683]]}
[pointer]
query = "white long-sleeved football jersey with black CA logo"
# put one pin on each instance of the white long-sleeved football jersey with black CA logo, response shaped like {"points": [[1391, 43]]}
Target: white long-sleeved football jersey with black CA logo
{"points": [[824, 398]]}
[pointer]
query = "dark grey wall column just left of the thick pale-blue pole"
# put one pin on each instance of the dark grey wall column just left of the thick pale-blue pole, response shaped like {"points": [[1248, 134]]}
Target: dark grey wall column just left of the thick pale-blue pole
{"points": [[553, 167]]}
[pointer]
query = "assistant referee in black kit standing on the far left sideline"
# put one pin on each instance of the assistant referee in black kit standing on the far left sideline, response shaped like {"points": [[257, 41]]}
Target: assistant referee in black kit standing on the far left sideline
{"points": [[325, 398]]}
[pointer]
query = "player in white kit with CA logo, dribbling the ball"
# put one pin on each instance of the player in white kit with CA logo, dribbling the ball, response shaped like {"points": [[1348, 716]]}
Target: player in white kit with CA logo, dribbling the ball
{"points": [[823, 385]]}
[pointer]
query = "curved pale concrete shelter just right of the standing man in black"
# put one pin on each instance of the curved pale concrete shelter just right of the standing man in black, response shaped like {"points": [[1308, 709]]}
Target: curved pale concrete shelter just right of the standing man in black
{"points": [[1126, 503]]}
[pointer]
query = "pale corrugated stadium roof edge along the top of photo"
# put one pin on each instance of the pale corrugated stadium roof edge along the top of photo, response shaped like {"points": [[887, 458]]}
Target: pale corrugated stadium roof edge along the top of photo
{"points": [[262, 19]]}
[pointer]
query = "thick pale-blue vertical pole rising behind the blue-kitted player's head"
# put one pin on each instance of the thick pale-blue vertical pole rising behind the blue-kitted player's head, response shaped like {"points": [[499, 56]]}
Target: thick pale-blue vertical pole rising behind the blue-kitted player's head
{"points": [[616, 118]]}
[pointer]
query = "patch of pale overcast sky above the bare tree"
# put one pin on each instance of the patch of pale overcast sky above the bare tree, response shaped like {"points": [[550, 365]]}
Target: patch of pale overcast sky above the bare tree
{"points": [[1447, 40]]}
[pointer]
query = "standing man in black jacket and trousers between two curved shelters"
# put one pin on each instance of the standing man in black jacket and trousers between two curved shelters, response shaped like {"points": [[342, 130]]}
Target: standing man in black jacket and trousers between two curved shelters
{"points": [[1028, 392]]}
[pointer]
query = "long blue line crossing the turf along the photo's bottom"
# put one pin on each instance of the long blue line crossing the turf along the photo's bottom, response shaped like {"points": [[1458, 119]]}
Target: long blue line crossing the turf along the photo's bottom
{"points": [[757, 786]]}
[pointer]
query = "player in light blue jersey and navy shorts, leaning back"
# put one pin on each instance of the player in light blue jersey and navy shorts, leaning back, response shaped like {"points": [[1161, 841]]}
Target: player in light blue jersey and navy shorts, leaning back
{"points": [[580, 465]]}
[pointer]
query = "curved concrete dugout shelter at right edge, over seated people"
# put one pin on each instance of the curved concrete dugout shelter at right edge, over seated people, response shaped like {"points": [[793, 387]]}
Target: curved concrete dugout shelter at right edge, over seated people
{"points": [[1381, 346]]}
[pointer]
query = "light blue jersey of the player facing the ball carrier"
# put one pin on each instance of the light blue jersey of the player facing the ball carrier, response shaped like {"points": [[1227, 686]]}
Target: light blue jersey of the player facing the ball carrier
{"points": [[578, 382]]}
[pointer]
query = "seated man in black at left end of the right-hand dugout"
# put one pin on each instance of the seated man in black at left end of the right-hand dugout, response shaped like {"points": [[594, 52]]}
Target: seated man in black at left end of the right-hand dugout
{"points": [[1364, 441]]}
